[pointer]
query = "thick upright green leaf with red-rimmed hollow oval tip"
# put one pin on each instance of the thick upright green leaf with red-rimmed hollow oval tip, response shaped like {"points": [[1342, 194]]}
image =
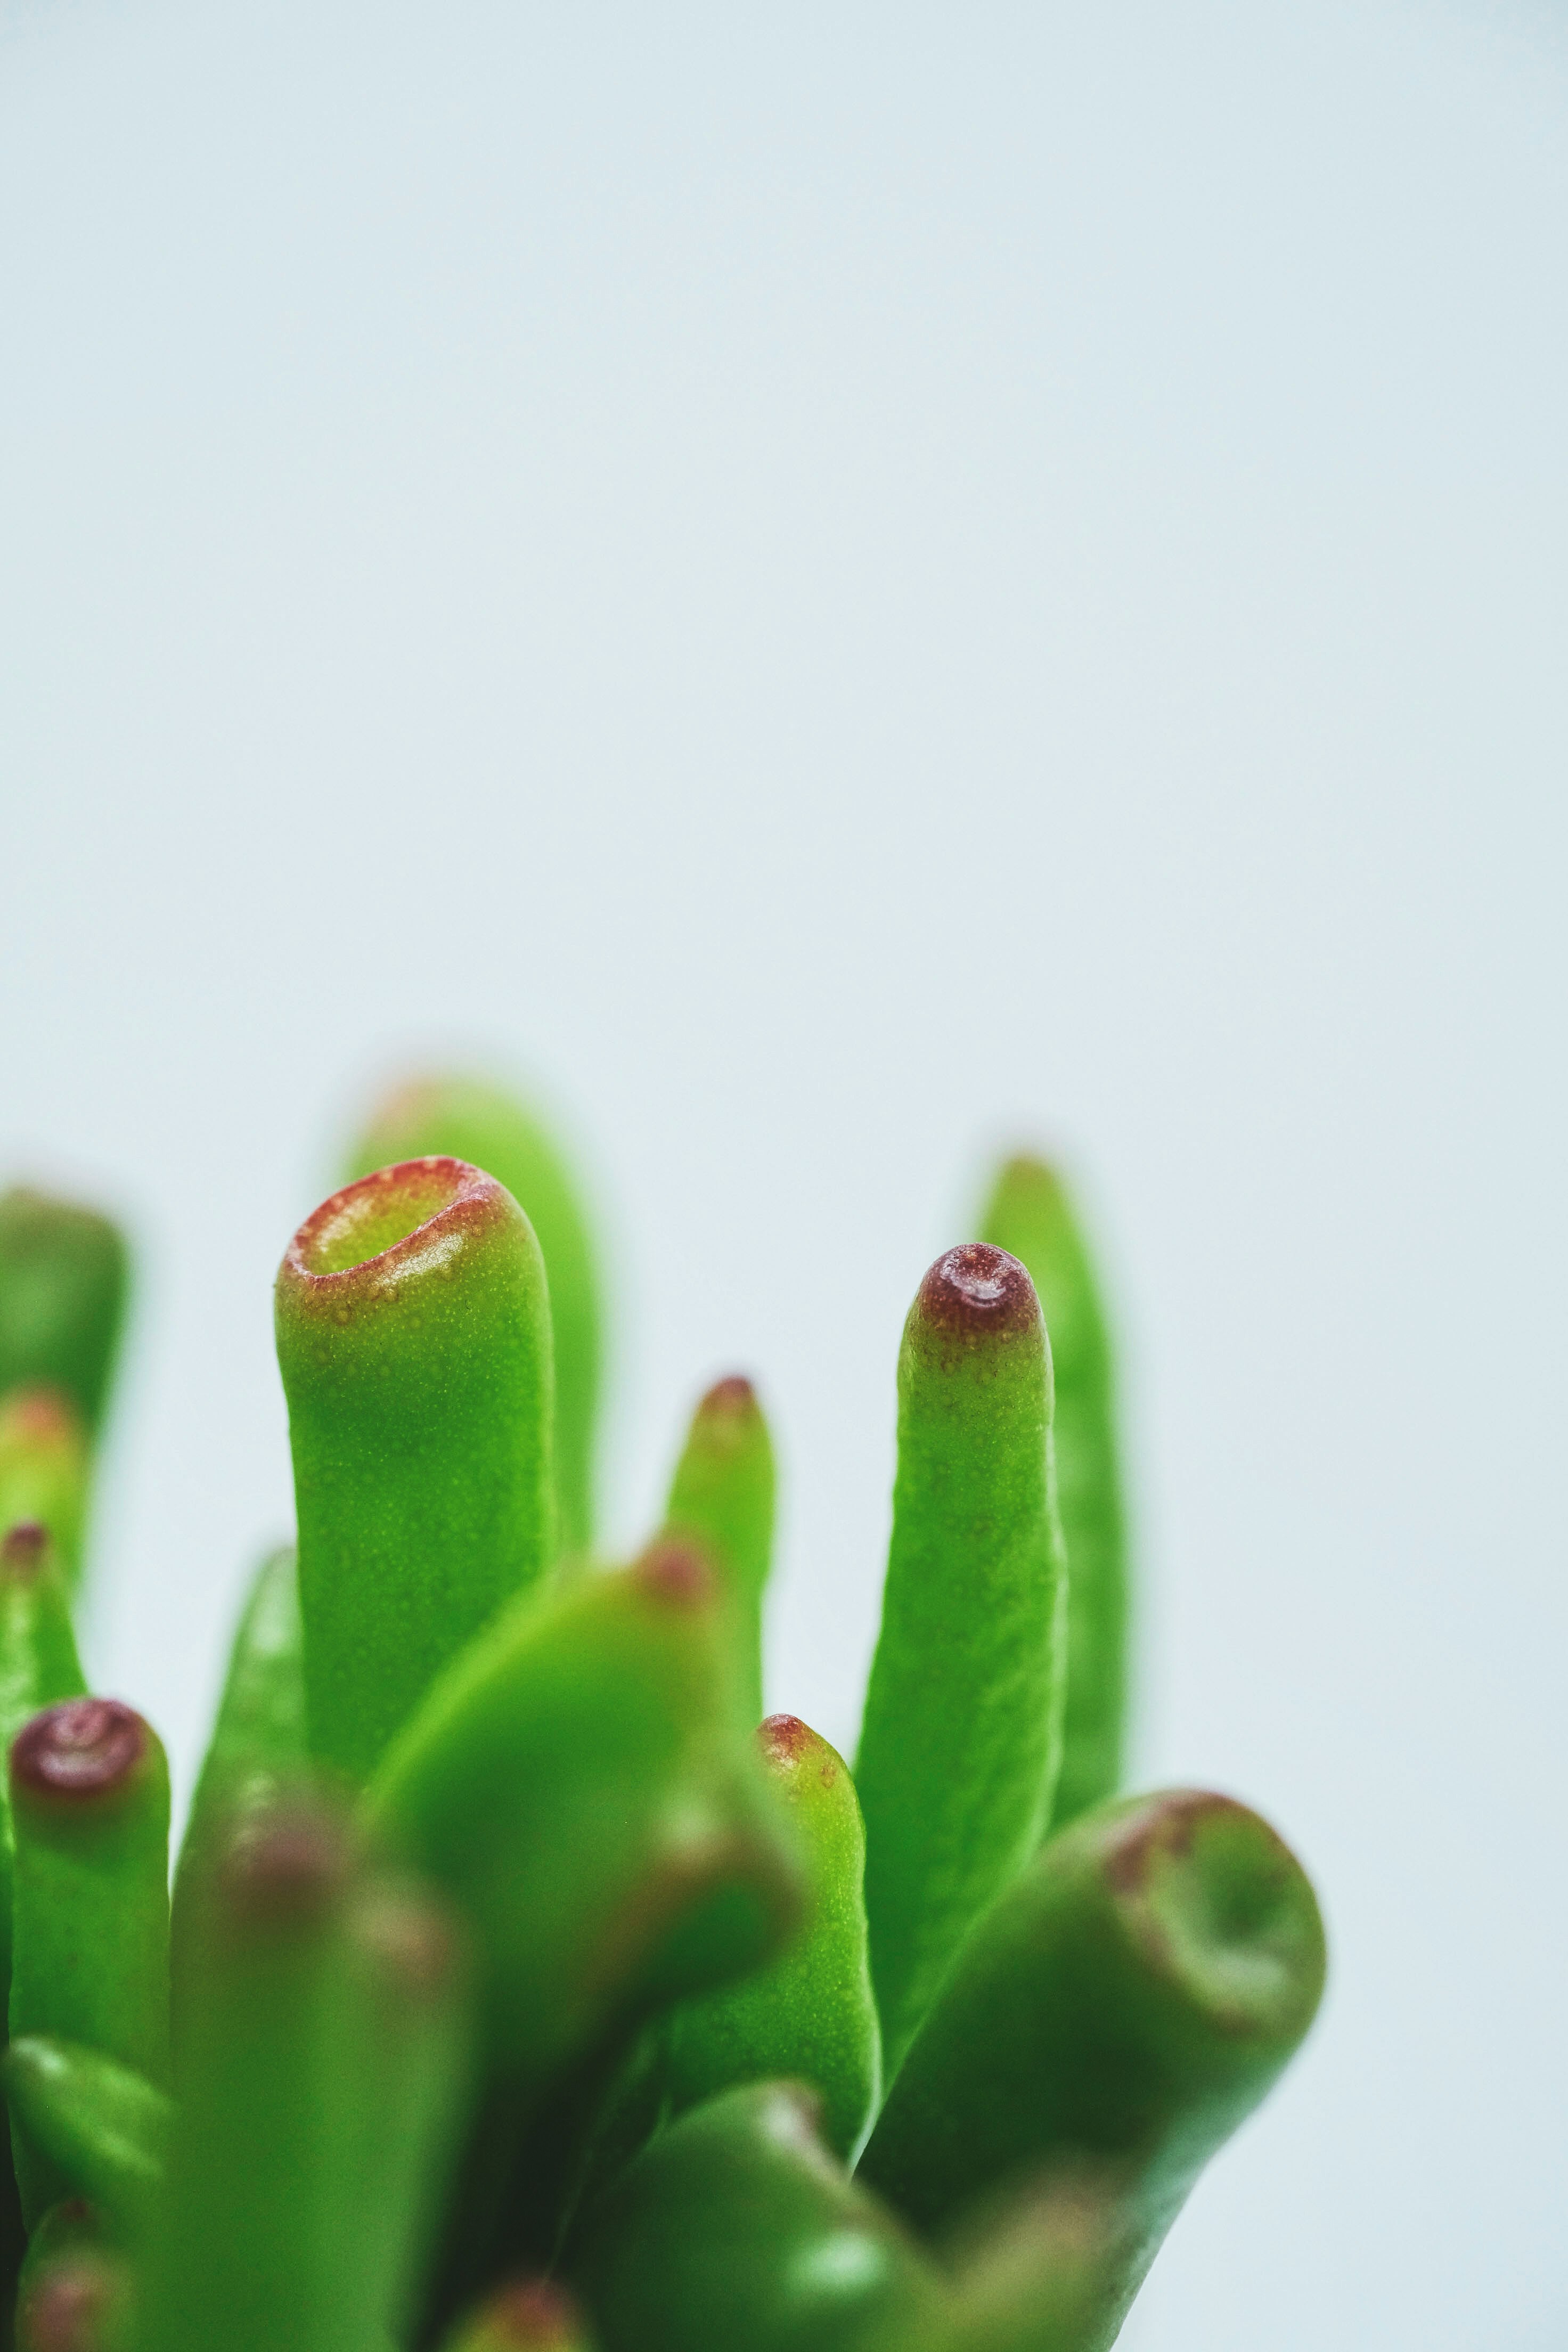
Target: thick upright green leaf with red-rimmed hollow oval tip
{"points": [[415, 1349]]}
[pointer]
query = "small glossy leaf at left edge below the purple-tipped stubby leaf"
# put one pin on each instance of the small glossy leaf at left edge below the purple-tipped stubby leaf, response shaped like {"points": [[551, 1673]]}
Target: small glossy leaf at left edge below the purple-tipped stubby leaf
{"points": [[102, 2127]]}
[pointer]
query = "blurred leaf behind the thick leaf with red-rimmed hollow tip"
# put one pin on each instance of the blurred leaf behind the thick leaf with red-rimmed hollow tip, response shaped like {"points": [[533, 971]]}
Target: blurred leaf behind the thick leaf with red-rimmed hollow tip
{"points": [[483, 1125]]}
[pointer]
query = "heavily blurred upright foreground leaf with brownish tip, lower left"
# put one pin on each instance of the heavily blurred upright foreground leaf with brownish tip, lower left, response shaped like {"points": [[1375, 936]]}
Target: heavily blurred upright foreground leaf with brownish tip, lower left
{"points": [[260, 2231]]}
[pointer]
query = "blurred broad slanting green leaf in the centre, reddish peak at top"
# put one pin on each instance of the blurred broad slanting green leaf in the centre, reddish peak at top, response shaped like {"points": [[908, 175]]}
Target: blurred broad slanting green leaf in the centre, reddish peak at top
{"points": [[587, 1796]]}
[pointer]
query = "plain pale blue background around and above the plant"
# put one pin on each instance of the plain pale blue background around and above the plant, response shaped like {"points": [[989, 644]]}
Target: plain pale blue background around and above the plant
{"points": [[845, 584]]}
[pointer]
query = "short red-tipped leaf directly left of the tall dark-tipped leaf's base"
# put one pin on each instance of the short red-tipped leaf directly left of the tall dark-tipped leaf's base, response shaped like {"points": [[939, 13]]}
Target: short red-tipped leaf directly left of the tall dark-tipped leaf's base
{"points": [[812, 2012]]}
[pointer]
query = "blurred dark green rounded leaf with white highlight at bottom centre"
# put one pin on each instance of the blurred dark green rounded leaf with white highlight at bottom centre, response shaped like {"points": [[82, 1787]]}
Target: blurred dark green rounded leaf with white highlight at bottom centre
{"points": [[739, 2229]]}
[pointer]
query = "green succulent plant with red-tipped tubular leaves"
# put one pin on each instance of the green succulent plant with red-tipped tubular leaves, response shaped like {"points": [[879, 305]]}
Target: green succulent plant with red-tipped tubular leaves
{"points": [[518, 1986]]}
